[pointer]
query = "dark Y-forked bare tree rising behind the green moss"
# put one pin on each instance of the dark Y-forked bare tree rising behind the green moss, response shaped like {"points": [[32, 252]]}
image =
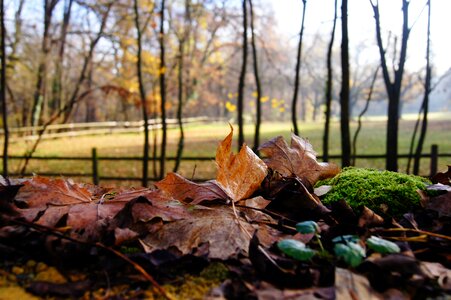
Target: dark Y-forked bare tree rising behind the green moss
{"points": [[393, 87]]}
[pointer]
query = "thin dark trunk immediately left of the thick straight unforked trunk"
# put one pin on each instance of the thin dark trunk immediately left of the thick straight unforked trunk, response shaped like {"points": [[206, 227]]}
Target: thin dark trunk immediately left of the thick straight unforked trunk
{"points": [[329, 88]]}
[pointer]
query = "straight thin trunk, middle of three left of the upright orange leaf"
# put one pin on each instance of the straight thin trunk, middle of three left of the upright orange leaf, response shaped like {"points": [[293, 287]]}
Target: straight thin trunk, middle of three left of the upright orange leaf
{"points": [[162, 93]]}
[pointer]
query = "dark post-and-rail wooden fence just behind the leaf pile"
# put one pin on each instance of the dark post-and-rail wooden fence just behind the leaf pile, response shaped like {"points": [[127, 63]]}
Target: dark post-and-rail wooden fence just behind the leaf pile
{"points": [[96, 177]]}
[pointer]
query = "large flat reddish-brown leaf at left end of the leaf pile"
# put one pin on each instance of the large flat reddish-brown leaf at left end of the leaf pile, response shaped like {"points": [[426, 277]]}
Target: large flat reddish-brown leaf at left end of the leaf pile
{"points": [[60, 203]]}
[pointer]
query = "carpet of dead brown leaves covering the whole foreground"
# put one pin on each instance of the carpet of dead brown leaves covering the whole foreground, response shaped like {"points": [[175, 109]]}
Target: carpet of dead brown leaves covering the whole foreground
{"points": [[141, 243]]}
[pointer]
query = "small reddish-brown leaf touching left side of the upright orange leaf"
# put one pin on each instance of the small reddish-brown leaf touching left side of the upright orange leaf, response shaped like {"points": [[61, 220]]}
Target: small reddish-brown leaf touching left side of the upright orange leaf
{"points": [[187, 191]]}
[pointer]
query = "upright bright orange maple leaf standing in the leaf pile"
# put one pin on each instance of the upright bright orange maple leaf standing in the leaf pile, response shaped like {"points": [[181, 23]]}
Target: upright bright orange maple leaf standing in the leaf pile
{"points": [[239, 175]]}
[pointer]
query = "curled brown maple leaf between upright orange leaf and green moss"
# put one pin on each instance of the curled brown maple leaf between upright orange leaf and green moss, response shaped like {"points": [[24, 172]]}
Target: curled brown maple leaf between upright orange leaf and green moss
{"points": [[298, 159]]}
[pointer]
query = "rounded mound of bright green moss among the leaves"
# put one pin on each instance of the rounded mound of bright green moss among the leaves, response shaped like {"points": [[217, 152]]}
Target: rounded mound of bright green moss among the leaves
{"points": [[385, 192]]}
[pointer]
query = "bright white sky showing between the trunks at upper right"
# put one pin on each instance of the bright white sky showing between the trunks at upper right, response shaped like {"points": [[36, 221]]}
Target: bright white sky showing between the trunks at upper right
{"points": [[319, 16]]}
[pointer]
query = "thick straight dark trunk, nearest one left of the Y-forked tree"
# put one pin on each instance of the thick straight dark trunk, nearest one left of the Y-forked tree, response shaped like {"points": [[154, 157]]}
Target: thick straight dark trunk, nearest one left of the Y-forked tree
{"points": [[344, 93]]}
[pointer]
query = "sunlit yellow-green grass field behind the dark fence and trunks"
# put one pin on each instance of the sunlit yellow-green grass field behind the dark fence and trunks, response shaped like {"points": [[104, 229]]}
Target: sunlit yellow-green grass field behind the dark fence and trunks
{"points": [[202, 140]]}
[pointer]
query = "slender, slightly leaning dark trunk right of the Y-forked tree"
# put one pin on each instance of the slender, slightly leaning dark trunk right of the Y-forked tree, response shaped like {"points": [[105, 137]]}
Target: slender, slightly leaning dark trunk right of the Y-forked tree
{"points": [[427, 90]]}
